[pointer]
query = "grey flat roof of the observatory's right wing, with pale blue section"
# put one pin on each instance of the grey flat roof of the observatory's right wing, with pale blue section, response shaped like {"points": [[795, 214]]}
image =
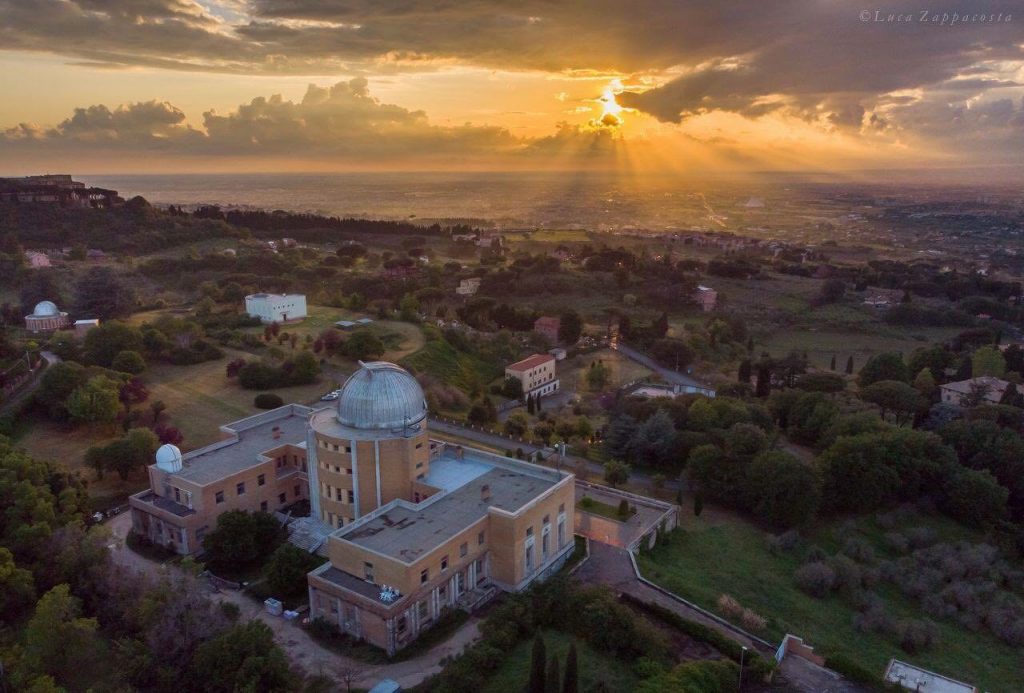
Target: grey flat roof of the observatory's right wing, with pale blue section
{"points": [[407, 532]]}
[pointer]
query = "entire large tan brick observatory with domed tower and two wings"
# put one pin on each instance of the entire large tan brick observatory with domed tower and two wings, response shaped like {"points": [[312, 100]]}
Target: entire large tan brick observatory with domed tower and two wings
{"points": [[410, 527]]}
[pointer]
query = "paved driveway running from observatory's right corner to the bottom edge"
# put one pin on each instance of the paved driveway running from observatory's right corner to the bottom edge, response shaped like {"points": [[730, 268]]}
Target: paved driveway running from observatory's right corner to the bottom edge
{"points": [[612, 567]]}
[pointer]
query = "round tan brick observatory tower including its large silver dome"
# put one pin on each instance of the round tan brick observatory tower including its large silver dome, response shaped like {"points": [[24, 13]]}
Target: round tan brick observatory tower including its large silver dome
{"points": [[373, 449]]}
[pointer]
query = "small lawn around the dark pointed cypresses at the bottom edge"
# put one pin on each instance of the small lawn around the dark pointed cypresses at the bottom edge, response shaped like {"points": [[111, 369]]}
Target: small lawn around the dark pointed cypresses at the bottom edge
{"points": [[593, 667]]}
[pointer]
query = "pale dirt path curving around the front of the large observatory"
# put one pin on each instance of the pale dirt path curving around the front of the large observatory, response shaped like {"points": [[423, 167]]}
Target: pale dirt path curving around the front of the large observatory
{"points": [[306, 654]]}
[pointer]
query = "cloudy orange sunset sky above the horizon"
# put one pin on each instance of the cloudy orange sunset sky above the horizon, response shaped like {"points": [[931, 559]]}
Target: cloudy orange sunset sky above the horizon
{"points": [[165, 85]]}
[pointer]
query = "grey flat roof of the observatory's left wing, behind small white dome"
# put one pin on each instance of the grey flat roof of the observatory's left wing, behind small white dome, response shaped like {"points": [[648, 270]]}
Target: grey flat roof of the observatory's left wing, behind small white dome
{"points": [[249, 438]]}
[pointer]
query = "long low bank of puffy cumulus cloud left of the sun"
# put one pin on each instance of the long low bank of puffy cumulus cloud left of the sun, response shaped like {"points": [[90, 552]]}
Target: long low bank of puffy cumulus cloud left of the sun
{"points": [[344, 123]]}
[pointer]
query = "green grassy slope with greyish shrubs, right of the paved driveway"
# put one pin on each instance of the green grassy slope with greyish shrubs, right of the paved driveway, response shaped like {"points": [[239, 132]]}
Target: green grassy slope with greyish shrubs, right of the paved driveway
{"points": [[720, 553]]}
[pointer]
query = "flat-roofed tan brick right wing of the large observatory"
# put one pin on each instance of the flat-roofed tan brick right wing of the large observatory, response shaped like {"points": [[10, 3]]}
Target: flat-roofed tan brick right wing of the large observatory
{"points": [[501, 531]]}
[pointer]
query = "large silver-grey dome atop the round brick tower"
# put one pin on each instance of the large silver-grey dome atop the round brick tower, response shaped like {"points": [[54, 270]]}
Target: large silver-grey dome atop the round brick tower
{"points": [[381, 396]]}
